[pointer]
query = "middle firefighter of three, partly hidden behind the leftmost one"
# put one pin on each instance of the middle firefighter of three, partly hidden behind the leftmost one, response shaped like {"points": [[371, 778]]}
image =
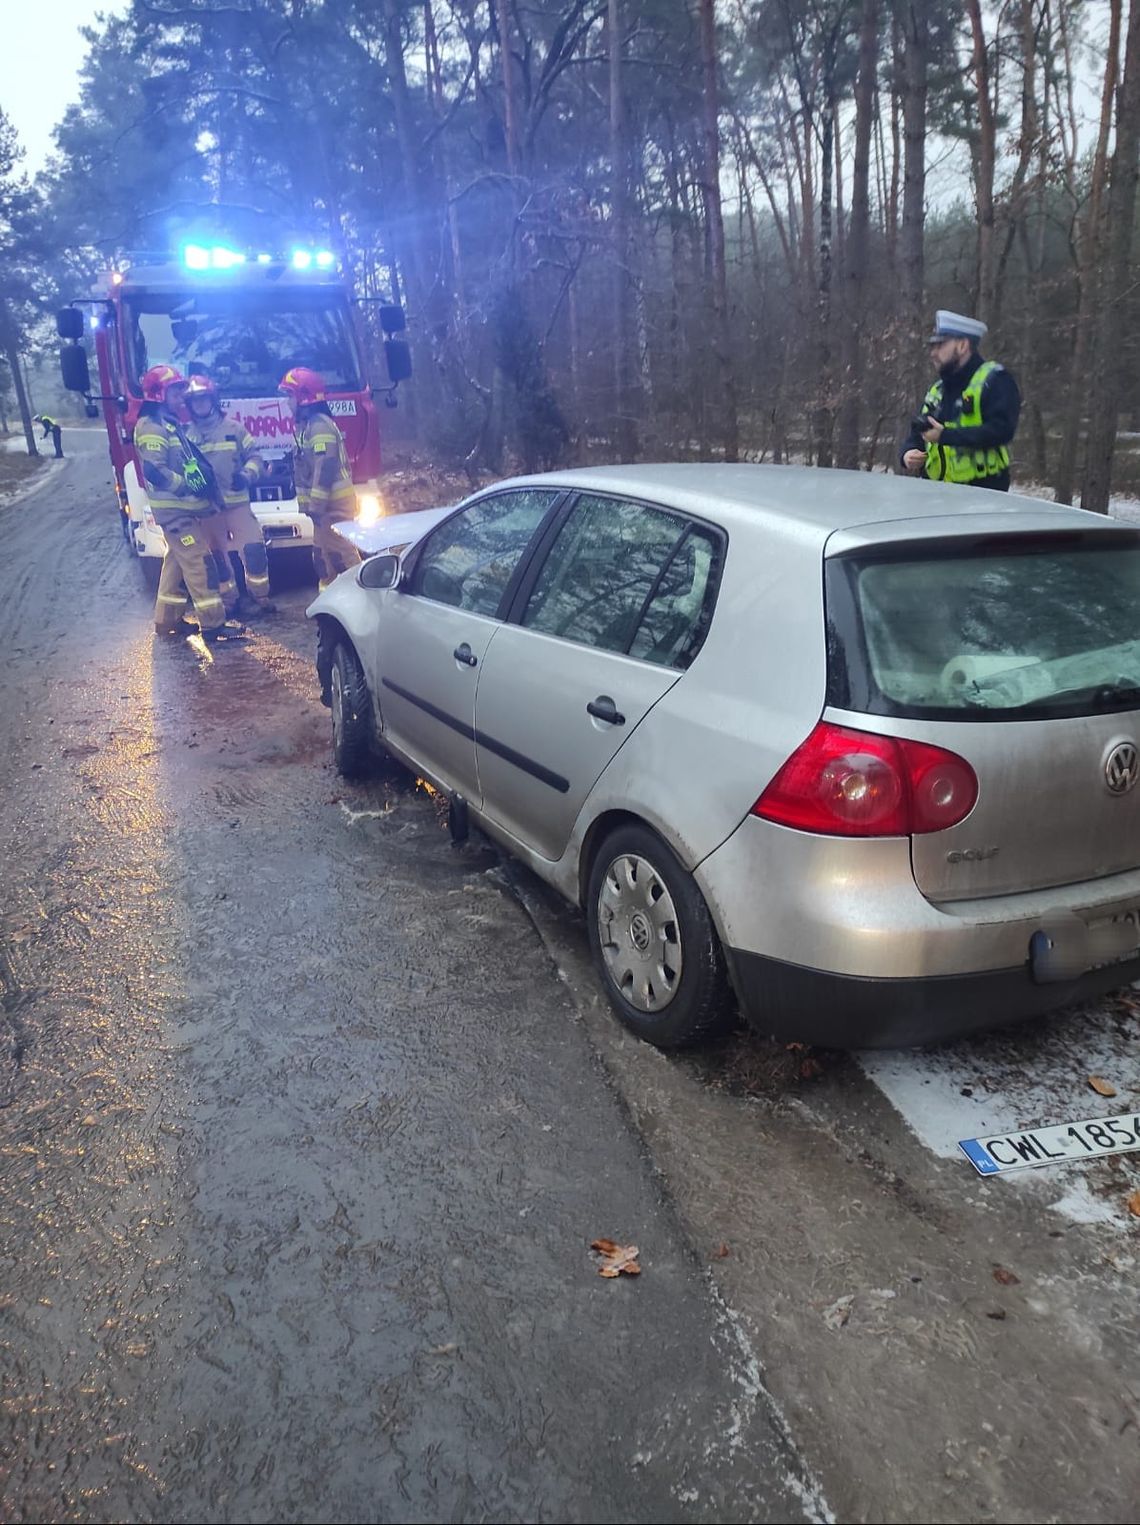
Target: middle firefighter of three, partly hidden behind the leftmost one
{"points": [[231, 451]]}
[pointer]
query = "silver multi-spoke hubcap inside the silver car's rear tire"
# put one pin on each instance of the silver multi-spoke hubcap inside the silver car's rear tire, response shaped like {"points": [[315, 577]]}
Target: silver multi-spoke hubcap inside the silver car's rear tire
{"points": [[639, 934]]}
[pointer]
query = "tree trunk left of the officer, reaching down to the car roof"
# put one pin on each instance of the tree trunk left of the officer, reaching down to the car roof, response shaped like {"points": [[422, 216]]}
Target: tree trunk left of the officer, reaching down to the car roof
{"points": [[856, 272]]}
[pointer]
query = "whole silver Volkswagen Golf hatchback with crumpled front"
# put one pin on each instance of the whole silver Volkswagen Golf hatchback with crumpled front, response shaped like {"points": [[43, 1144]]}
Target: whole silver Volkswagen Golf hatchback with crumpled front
{"points": [[857, 750]]}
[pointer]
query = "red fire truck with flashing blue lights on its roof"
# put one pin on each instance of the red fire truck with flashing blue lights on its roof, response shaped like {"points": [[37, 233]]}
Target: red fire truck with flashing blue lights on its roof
{"points": [[243, 318]]}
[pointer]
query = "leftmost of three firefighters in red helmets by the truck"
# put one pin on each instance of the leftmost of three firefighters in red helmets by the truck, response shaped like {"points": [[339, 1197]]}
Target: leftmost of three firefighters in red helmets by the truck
{"points": [[181, 499]]}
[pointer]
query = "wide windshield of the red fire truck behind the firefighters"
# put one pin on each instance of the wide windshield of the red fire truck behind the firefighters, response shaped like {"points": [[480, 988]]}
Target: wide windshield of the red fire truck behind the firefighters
{"points": [[245, 341]]}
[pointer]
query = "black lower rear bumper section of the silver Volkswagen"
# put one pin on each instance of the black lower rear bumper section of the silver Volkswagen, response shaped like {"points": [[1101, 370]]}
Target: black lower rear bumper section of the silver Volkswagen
{"points": [[851, 1012]]}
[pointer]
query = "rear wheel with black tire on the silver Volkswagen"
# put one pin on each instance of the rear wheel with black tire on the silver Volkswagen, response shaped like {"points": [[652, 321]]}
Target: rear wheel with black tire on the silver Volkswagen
{"points": [[655, 945]]}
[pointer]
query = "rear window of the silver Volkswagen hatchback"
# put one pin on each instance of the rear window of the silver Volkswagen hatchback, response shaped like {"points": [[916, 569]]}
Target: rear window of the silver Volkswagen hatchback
{"points": [[1007, 628]]}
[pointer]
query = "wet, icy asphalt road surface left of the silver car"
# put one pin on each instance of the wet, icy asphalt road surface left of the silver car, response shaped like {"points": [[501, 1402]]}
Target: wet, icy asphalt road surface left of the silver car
{"points": [[303, 1141]]}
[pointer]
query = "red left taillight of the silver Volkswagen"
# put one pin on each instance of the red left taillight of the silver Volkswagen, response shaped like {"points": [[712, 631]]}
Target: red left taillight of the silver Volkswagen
{"points": [[857, 785]]}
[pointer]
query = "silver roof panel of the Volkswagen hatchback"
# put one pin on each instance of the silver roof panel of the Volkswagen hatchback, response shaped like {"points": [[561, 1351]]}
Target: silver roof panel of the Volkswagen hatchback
{"points": [[821, 502]]}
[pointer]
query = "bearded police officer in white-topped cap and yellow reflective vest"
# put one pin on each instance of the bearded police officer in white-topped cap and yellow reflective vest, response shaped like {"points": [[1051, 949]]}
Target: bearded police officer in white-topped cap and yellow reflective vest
{"points": [[970, 414]]}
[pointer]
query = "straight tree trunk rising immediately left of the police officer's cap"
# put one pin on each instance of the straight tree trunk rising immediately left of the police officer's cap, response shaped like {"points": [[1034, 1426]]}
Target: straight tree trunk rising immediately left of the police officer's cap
{"points": [[915, 66]]}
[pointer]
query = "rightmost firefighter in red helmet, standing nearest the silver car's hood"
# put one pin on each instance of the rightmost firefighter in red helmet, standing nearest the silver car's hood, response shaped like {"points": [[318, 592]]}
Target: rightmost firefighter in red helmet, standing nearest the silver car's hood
{"points": [[322, 470]]}
